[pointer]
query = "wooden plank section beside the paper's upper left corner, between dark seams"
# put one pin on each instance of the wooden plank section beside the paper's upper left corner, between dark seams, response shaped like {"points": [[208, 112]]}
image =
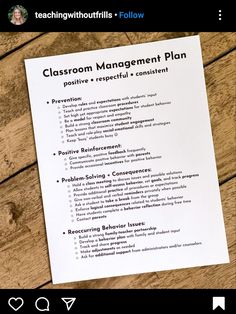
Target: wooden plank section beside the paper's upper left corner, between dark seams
{"points": [[16, 136]]}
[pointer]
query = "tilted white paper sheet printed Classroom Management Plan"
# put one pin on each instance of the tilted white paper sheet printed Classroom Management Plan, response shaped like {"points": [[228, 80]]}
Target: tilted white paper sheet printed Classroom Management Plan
{"points": [[126, 160]]}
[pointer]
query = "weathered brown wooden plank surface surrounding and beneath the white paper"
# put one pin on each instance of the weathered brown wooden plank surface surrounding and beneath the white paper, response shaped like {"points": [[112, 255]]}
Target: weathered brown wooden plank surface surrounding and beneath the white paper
{"points": [[23, 248]]}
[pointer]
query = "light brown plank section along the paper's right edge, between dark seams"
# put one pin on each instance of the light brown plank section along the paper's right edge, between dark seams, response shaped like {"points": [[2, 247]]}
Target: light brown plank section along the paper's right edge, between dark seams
{"points": [[220, 82]]}
